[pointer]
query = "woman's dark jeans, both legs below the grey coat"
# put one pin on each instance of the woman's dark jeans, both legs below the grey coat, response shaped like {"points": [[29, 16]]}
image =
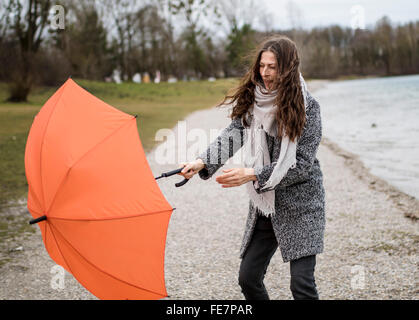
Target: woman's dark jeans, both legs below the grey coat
{"points": [[256, 260]]}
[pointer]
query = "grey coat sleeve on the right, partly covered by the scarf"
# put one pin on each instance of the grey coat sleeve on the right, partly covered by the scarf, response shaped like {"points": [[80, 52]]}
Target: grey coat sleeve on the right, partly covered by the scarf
{"points": [[307, 147]]}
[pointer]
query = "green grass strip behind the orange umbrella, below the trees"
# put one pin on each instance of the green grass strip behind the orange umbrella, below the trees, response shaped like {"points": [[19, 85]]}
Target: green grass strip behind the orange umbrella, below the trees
{"points": [[157, 106]]}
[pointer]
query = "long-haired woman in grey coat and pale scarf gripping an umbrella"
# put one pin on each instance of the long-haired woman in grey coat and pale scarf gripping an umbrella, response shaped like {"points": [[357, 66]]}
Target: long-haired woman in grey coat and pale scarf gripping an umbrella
{"points": [[278, 123]]}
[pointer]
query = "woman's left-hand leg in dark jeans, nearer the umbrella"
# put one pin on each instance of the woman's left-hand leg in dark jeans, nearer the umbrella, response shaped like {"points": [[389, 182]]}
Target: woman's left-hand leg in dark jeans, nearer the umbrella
{"points": [[256, 260]]}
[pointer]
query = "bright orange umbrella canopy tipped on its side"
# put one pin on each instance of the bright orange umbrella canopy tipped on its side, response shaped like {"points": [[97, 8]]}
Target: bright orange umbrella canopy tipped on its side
{"points": [[106, 218]]}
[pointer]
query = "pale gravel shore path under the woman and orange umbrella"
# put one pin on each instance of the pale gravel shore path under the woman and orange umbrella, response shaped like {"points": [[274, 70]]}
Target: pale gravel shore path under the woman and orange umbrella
{"points": [[371, 237]]}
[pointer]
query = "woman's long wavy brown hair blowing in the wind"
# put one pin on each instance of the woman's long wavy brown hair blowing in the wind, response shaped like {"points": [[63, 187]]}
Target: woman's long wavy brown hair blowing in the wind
{"points": [[289, 100]]}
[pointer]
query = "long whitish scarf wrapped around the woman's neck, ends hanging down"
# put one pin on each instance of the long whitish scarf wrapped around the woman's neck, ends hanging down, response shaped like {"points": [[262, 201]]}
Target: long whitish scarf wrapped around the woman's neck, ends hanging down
{"points": [[256, 153]]}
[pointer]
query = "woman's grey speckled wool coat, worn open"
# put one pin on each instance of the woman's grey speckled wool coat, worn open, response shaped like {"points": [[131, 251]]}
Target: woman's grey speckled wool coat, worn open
{"points": [[299, 219]]}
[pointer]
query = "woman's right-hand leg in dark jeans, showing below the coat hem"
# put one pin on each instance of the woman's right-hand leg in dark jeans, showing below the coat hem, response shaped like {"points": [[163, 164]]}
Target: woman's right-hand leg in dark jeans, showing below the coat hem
{"points": [[303, 285]]}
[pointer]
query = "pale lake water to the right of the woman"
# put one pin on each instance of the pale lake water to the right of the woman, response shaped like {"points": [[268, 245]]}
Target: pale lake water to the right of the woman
{"points": [[377, 119]]}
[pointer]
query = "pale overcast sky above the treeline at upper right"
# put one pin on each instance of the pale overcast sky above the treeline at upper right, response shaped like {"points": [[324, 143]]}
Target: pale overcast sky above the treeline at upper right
{"points": [[326, 12]]}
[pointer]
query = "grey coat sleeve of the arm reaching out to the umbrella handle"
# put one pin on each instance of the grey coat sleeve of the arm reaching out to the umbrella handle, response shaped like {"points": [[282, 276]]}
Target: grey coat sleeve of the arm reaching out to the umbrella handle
{"points": [[221, 149]]}
